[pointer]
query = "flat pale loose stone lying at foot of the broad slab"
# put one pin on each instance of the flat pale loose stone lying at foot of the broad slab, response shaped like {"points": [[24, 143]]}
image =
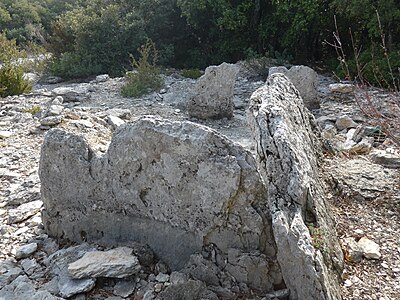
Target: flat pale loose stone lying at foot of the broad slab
{"points": [[117, 263]]}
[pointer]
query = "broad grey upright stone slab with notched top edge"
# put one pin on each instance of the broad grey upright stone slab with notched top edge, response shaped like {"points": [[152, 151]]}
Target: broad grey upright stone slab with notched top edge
{"points": [[176, 186]]}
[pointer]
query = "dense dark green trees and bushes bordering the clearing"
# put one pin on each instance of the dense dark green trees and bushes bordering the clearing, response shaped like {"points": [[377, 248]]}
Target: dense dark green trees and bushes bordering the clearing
{"points": [[96, 36]]}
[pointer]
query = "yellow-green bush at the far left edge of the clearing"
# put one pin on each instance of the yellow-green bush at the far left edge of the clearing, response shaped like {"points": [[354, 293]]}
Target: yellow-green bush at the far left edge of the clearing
{"points": [[11, 73]]}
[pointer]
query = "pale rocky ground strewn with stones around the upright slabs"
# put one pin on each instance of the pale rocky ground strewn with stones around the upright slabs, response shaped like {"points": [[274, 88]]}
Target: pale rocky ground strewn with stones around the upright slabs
{"points": [[360, 165]]}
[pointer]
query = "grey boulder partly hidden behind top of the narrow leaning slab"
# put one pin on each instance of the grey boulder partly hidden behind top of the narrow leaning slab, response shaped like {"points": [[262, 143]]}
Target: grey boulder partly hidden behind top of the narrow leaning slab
{"points": [[305, 80]]}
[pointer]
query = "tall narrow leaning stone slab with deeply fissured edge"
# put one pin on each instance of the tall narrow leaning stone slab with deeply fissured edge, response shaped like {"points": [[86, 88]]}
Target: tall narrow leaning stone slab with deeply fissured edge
{"points": [[287, 157]]}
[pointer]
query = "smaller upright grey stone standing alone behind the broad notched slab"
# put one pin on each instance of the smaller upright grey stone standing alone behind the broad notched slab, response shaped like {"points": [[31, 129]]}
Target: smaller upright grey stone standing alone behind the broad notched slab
{"points": [[212, 95]]}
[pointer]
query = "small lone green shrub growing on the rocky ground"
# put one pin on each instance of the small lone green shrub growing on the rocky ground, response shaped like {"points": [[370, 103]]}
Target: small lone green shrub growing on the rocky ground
{"points": [[146, 76]]}
